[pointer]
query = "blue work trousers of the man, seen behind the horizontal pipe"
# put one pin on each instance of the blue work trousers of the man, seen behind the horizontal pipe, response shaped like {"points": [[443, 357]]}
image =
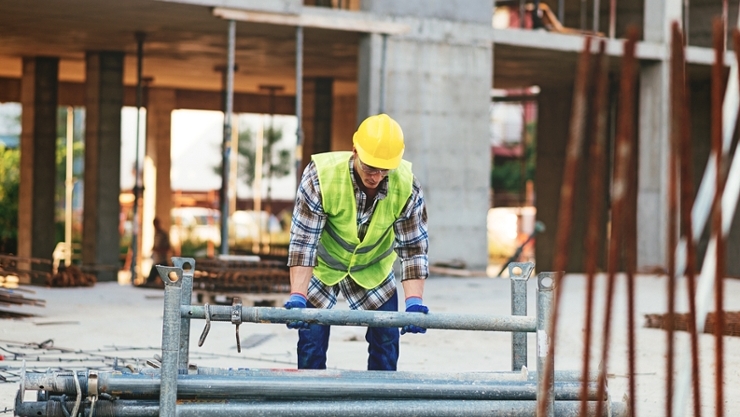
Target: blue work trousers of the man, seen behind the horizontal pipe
{"points": [[382, 350]]}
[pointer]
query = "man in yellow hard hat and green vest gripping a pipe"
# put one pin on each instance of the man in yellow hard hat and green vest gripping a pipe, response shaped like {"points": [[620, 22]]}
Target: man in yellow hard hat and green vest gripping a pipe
{"points": [[355, 212]]}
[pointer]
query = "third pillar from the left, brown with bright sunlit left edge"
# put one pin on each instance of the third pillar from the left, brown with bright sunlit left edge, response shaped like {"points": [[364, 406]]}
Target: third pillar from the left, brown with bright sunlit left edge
{"points": [[157, 200]]}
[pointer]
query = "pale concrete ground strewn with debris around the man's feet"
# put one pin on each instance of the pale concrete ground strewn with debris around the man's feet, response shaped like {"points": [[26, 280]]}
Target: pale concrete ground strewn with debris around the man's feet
{"points": [[126, 322]]}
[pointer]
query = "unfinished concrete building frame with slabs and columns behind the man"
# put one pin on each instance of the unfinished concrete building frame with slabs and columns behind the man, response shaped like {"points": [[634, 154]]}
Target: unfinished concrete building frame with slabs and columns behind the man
{"points": [[431, 64]]}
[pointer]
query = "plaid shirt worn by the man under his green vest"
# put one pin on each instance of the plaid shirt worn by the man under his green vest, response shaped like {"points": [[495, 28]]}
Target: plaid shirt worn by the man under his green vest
{"points": [[412, 241]]}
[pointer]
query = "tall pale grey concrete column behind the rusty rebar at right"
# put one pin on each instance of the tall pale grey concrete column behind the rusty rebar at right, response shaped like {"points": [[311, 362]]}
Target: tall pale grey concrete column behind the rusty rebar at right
{"points": [[654, 139]]}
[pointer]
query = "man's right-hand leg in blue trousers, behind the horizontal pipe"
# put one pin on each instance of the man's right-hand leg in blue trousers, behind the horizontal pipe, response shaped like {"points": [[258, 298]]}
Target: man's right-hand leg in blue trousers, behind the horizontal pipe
{"points": [[383, 342]]}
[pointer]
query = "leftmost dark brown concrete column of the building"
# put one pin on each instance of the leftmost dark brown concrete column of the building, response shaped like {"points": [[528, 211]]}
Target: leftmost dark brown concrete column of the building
{"points": [[39, 90]]}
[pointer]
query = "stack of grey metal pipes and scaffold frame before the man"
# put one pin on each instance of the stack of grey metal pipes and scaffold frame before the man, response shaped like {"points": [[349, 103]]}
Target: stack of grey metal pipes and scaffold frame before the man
{"points": [[181, 390]]}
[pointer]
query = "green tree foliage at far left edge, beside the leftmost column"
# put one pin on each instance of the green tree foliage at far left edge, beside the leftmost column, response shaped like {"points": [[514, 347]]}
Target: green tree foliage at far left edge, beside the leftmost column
{"points": [[10, 179]]}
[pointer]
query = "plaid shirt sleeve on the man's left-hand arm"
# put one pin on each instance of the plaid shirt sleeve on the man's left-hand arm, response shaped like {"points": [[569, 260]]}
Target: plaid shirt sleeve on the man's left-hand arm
{"points": [[308, 220]]}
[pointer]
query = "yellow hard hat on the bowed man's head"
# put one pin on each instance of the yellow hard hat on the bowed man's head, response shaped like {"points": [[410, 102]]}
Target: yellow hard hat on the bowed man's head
{"points": [[379, 142]]}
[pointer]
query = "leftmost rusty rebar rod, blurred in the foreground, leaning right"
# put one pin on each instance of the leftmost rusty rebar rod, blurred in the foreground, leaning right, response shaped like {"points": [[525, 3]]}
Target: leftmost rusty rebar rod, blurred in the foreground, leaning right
{"points": [[567, 197]]}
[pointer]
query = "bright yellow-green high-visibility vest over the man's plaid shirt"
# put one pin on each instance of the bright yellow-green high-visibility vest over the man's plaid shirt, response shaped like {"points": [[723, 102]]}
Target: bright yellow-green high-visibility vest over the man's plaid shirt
{"points": [[340, 251]]}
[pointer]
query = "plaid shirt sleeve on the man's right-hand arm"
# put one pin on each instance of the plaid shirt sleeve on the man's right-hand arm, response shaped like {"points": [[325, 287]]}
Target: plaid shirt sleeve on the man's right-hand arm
{"points": [[412, 239]]}
